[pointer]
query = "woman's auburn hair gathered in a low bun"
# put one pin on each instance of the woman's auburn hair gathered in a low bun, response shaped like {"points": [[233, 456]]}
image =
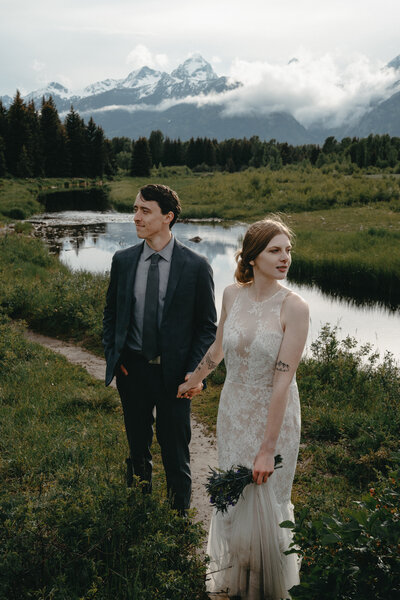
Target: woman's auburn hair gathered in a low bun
{"points": [[256, 238]]}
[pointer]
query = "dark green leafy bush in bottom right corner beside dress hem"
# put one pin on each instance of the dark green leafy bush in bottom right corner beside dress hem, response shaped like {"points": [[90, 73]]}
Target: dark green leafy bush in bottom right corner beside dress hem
{"points": [[355, 554]]}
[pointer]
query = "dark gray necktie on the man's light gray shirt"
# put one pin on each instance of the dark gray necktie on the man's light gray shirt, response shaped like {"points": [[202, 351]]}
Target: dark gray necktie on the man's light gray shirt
{"points": [[150, 347]]}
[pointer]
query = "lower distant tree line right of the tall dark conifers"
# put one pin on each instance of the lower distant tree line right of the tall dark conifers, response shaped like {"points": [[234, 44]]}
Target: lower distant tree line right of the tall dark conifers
{"points": [[204, 154]]}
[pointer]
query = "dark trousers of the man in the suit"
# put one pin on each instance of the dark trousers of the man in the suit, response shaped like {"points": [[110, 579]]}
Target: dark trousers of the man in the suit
{"points": [[140, 391]]}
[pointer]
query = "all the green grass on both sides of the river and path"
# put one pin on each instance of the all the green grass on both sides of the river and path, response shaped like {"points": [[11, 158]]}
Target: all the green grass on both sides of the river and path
{"points": [[62, 472]]}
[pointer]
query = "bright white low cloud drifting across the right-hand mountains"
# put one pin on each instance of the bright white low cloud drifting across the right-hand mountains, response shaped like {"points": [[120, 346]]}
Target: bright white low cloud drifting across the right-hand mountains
{"points": [[311, 89]]}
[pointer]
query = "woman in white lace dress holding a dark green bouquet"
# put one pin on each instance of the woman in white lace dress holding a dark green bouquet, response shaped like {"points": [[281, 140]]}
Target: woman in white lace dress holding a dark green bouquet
{"points": [[261, 334]]}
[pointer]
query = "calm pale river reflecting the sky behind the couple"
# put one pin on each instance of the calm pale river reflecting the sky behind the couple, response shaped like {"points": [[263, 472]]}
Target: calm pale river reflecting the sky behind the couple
{"points": [[88, 240]]}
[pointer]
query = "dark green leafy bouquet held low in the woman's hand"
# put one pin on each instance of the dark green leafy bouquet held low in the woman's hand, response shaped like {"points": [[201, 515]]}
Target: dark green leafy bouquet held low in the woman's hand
{"points": [[226, 487]]}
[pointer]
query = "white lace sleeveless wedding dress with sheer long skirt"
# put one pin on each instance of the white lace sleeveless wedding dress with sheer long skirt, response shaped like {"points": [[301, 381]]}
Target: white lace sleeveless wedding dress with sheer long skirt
{"points": [[246, 544]]}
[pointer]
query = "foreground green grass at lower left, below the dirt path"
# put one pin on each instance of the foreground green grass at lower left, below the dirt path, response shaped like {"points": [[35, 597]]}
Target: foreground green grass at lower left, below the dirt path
{"points": [[69, 528]]}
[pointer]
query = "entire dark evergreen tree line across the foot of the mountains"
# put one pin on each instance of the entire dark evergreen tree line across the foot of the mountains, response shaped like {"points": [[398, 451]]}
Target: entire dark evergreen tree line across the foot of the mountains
{"points": [[35, 143]]}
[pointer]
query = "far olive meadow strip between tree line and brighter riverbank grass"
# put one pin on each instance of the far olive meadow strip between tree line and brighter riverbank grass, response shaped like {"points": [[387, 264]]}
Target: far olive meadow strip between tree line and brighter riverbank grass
{"points": [[251, 194]]}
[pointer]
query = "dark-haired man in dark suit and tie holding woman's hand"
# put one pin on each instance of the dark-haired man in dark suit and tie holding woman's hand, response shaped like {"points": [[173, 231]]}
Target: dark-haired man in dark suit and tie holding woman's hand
{"points": [[159, 321]]}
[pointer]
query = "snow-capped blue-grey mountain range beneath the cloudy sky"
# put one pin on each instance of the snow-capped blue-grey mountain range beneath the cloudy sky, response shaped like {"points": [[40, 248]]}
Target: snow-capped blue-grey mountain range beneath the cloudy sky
{"points": [[147, 100]]}
